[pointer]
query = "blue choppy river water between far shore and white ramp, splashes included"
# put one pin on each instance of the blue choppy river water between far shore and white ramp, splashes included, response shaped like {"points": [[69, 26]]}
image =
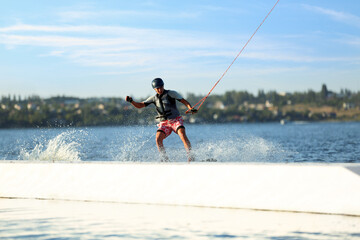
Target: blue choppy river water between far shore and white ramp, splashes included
{"points": [[270, 142]]}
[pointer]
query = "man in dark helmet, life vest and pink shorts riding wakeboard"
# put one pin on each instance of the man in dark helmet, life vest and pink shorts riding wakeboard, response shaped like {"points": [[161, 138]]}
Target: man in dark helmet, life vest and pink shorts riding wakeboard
{"points": [[168, 116]]}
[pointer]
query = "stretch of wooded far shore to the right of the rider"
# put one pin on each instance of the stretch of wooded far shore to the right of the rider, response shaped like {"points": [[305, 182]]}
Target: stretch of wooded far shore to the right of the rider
{"points": [[274, 106]]}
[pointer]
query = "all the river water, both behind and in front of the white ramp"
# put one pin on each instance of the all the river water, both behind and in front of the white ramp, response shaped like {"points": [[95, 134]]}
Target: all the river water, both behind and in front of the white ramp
{"points": [[271, 142]]}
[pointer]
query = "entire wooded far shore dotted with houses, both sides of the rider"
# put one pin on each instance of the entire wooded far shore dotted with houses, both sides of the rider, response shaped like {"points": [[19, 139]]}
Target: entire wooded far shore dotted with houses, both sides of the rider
{"points": [[232, 106]]}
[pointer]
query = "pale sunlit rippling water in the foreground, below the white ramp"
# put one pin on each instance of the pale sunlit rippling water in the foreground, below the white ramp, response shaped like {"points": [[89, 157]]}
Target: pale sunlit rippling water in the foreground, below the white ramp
{"points": [[42, 219]]}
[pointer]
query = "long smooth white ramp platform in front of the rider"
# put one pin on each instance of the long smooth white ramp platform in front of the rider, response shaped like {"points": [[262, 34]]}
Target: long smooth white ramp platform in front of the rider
{"points": [[327, 189]]}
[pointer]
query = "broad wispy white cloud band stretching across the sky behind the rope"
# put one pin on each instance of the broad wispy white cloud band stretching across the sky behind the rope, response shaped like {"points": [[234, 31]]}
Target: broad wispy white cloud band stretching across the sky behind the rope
{"points": [[116, 46]]}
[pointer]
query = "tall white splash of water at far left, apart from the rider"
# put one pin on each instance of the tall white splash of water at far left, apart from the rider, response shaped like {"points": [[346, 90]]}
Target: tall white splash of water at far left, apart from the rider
{"points": [[63, 147]]}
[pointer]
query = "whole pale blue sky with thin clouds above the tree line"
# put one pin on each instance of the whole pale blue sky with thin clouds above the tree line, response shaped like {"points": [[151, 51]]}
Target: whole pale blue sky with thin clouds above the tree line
{"points": [[115, 48]]}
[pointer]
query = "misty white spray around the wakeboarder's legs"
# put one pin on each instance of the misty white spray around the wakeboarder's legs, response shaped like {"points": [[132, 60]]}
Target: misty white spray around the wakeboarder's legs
{"points": [[235, 149]]}
